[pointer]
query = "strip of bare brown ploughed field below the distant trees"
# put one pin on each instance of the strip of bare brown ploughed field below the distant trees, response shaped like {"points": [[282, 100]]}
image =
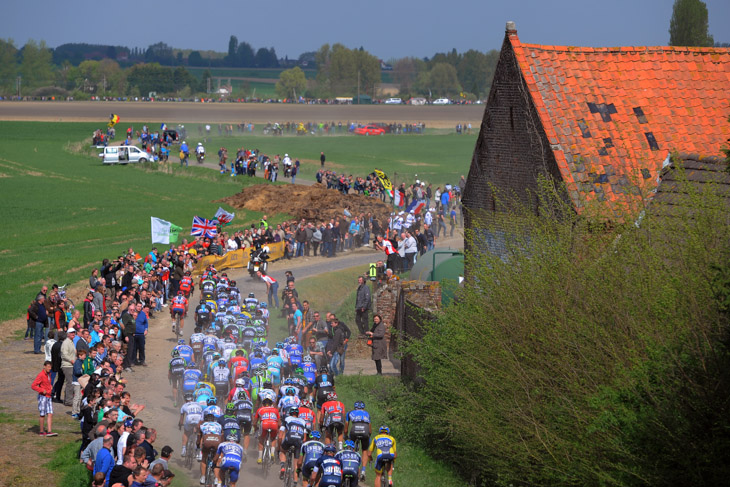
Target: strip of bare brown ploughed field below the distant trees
{"points": [[446, 116]]}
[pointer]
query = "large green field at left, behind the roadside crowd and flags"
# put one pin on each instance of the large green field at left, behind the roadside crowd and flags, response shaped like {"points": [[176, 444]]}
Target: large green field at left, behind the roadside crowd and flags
{"points": [[63, 212]]}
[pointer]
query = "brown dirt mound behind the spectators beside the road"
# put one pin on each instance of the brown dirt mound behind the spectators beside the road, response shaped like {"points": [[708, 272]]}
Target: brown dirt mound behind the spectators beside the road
{"points": [[313, 203]]}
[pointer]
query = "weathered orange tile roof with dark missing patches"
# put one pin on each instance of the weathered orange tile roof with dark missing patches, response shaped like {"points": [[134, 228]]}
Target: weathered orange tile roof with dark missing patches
{"points": [[612, 115]]}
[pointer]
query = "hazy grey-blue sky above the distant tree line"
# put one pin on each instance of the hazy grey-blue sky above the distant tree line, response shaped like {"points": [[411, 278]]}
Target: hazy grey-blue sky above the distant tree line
{"points": [[388, 29]]}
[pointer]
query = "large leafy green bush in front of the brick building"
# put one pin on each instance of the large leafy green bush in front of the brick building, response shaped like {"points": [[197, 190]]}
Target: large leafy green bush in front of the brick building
{"points": [[590, 354]]}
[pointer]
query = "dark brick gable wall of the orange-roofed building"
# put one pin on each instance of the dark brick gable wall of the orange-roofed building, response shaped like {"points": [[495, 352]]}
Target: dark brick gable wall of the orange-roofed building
{"points": [[512, 151]]}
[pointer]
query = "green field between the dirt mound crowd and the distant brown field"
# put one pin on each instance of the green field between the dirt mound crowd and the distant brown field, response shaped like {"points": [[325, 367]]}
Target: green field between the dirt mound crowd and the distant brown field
{"points": [[435, 157]]}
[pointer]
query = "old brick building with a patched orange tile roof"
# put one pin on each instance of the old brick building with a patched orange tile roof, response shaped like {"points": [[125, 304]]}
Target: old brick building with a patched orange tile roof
{"points": [[603, 121]]}
